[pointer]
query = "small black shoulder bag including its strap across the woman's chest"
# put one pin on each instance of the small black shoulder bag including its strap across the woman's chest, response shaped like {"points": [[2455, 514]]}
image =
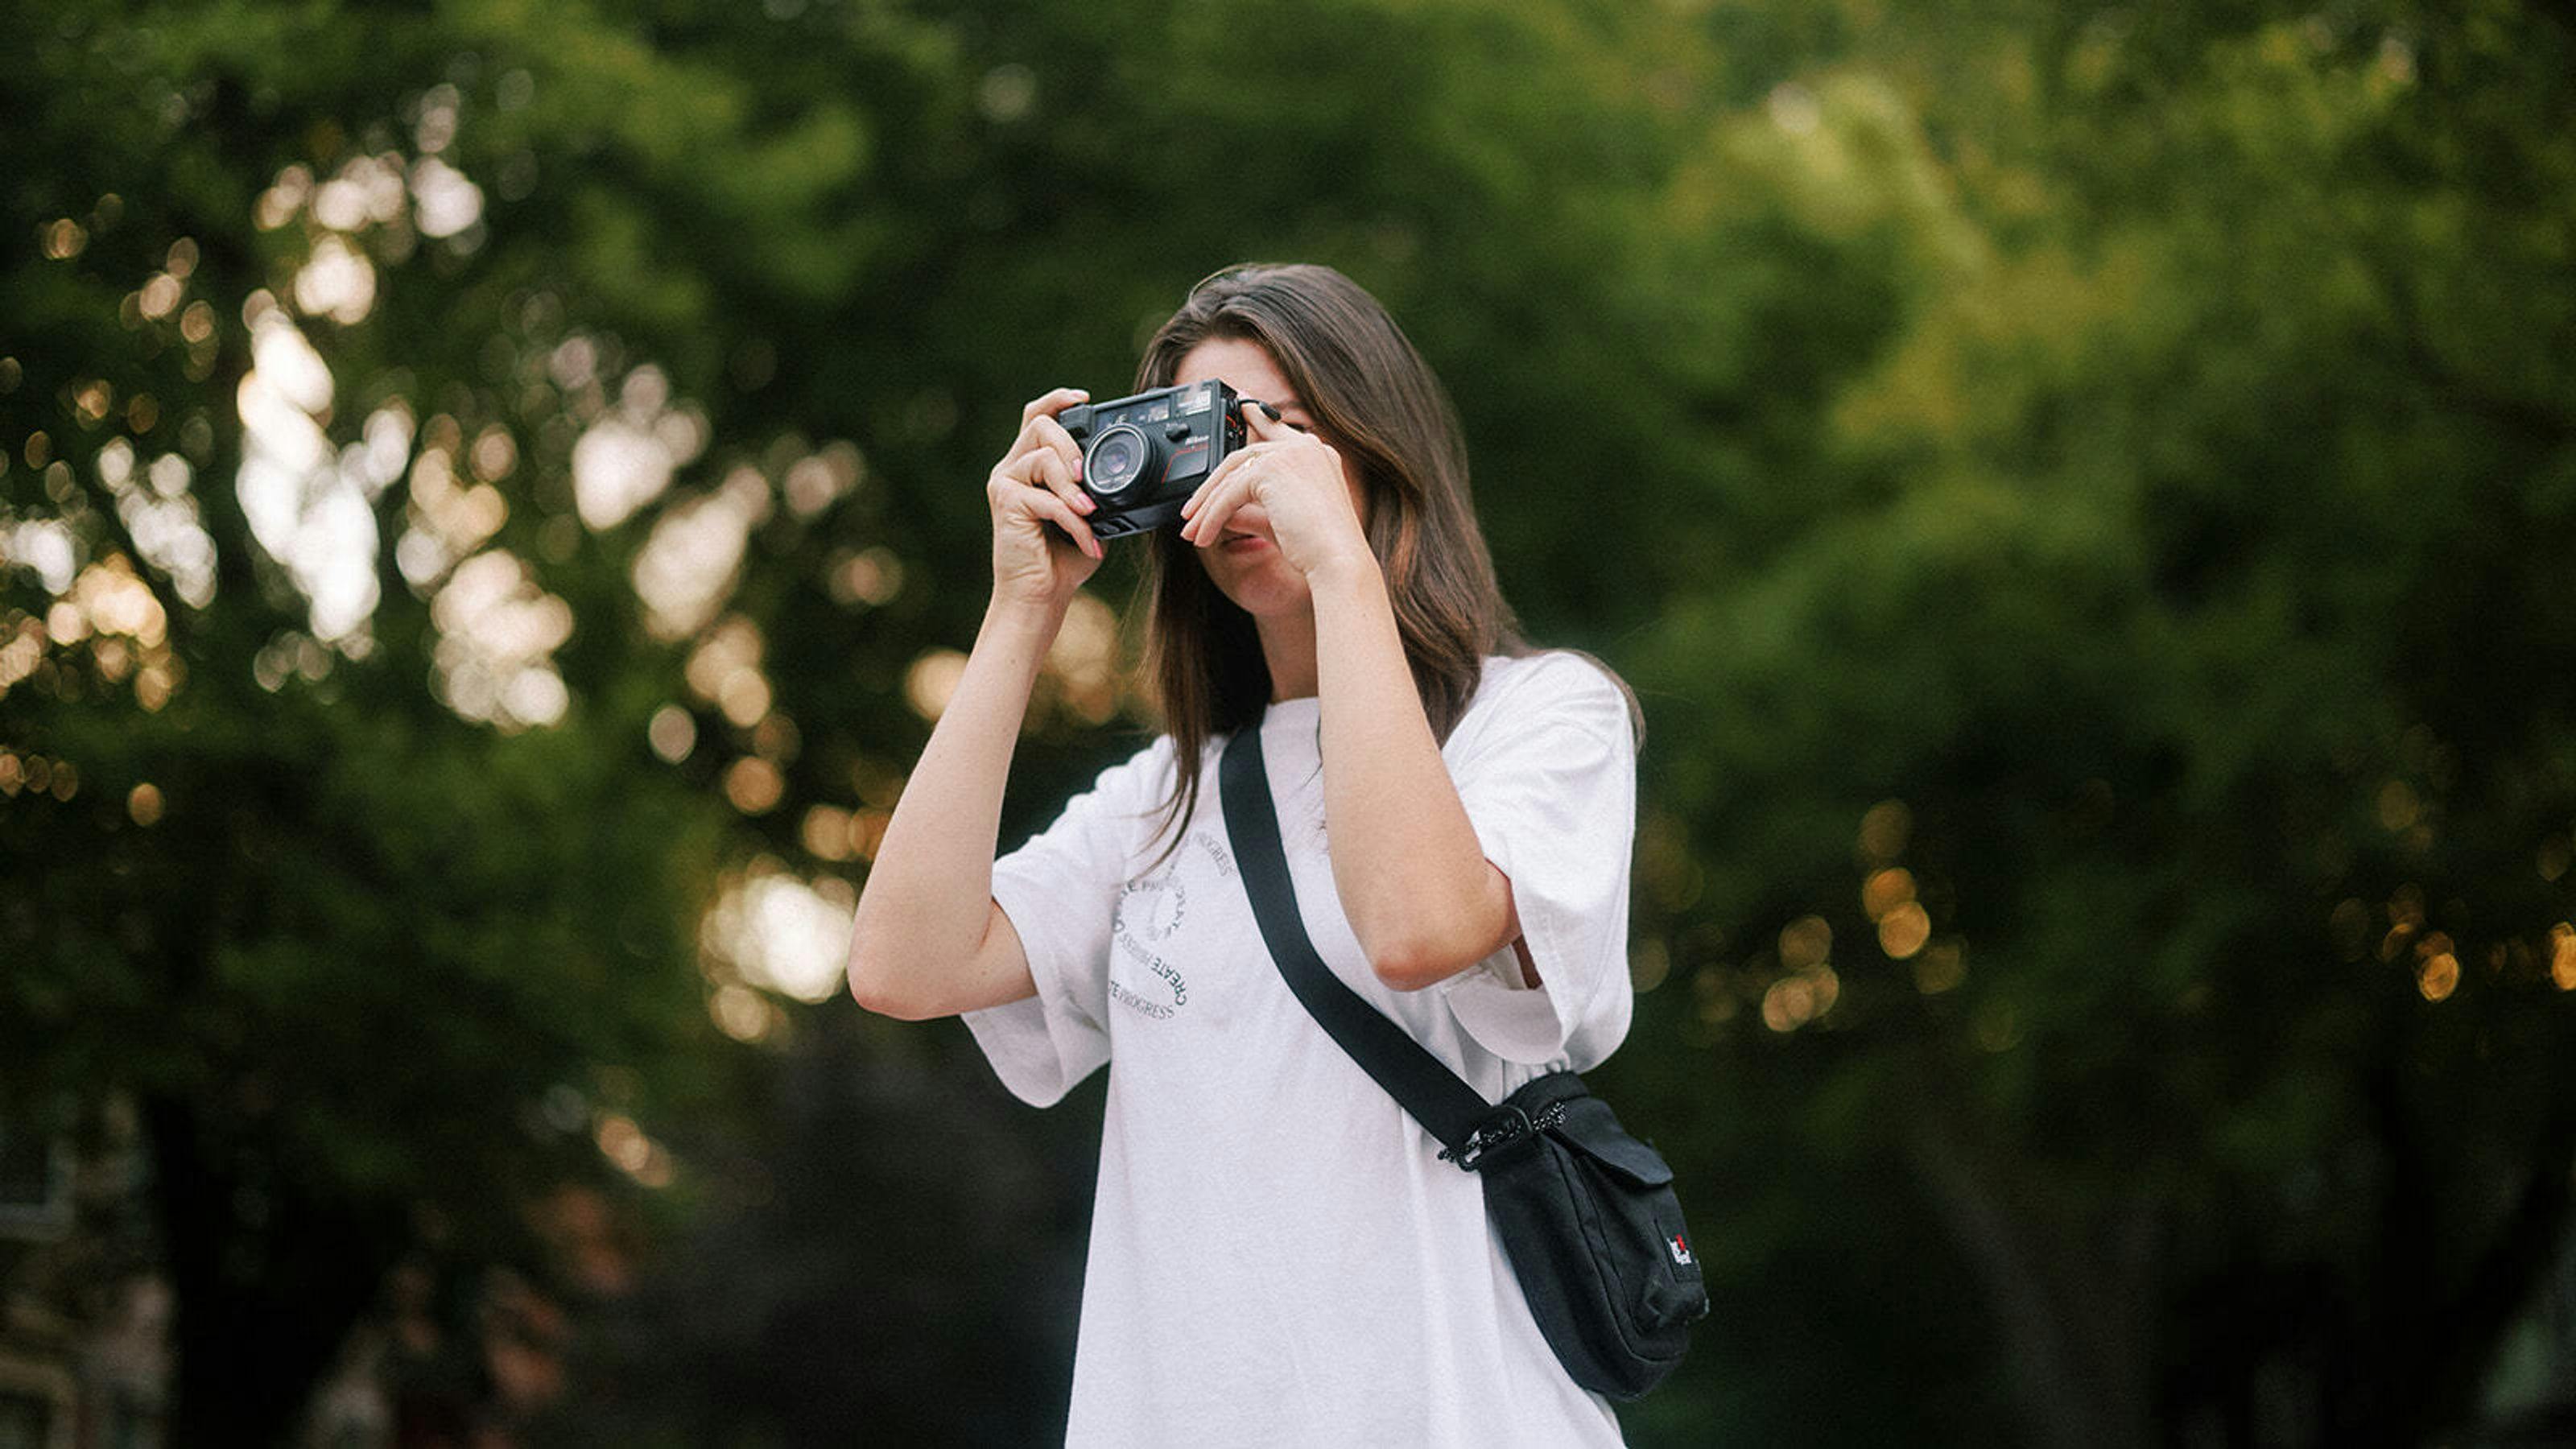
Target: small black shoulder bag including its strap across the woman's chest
{"points": [[1586, 1211]]}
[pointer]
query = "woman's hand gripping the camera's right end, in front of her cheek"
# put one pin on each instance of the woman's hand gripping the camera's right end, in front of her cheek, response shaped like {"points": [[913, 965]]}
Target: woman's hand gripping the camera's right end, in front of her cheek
{"points": [[1289, 486]]}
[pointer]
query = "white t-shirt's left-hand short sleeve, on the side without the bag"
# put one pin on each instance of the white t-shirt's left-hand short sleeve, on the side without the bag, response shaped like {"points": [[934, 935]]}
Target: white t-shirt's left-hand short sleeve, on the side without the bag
{"points": [[1060, 893]]}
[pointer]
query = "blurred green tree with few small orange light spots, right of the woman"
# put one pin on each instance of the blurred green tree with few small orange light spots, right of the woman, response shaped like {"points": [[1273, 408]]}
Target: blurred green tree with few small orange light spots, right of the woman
{"points": [[2129, 783]]}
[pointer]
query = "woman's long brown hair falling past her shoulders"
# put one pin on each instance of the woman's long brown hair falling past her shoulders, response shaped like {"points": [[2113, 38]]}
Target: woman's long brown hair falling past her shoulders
{"points": [[1379, 406]]}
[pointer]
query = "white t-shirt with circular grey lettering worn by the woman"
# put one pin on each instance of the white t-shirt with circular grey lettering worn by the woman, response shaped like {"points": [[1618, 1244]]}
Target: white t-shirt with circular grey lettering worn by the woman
{"points": [[1279, 1254]]}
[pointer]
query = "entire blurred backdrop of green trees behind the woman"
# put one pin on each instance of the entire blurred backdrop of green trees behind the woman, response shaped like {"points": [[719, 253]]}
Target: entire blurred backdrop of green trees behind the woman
{"points": [[491, 504]]}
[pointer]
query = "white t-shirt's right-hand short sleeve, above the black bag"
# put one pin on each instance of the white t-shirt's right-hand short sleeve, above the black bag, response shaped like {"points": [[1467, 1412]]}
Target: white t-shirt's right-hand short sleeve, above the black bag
{"points": [[1549, 785]]}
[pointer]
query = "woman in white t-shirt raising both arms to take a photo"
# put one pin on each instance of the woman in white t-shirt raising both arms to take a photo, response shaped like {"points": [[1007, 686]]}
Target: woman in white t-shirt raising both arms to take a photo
{"points": [[1276, 1249]]}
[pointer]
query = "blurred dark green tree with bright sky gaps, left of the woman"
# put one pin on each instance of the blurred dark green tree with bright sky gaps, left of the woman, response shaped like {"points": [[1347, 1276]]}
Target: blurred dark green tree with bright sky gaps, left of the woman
{"points": [[339, 839]]}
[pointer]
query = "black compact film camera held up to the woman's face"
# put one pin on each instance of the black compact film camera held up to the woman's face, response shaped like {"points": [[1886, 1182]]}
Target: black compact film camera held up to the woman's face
{"points": [[1142, 458]]}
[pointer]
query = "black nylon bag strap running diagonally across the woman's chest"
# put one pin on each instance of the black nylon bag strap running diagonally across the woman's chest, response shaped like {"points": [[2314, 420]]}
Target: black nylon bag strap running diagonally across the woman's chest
{"points": [[1421, 1082]]}
